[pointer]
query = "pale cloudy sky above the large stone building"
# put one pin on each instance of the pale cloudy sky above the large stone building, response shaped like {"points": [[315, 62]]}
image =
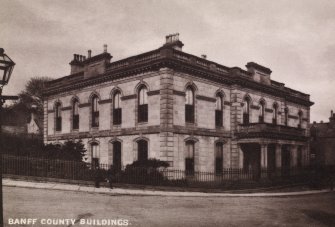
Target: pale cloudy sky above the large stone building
{"points": [[294, 38]]}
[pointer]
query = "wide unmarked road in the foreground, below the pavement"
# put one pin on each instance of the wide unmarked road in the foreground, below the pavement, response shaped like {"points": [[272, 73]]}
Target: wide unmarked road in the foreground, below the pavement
{"points": [[53, 205]]}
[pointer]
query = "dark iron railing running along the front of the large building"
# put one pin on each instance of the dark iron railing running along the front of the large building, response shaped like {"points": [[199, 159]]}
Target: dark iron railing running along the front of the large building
{"points": [[26, 166]]}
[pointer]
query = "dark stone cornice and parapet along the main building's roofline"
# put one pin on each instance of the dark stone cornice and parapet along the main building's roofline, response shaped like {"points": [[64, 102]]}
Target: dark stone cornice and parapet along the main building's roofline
{"points": [[179, 61]]}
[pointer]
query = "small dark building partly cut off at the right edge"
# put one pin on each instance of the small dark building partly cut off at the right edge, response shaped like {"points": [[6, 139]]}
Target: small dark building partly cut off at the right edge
{"points": [[323, 142]]}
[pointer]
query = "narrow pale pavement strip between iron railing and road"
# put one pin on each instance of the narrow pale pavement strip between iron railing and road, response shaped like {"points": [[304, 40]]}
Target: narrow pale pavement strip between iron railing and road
{"points": [[138, 192]]}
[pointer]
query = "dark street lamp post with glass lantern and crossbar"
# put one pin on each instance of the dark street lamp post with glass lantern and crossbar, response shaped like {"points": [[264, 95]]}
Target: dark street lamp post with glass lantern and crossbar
{"points": [[6, 69]]}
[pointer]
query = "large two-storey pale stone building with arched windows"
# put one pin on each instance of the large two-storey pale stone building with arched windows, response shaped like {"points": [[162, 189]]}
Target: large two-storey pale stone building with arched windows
{"points": [[167, 104]]}
